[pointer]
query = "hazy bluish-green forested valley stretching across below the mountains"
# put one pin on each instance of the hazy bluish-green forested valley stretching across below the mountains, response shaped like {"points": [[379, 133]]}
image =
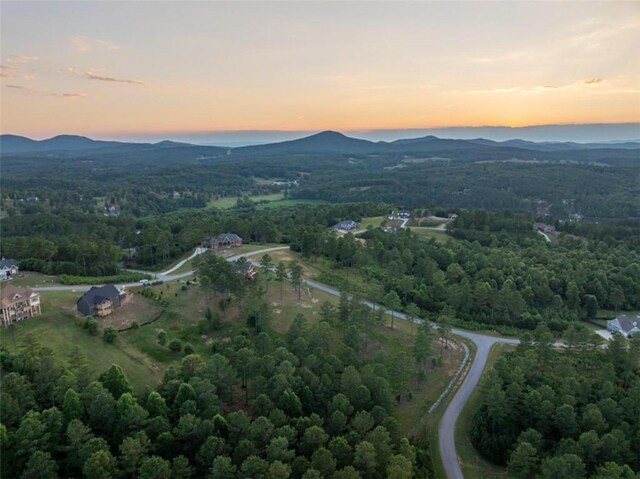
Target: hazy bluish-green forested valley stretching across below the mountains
{"points": [[596, 183]]}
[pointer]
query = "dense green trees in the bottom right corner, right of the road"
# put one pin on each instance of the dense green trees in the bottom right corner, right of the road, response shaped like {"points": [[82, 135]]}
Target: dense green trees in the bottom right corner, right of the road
{"points": [[563, 414]]}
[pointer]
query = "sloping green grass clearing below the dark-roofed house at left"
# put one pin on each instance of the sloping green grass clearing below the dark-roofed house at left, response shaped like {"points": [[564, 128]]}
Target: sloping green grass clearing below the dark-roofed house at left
{"points": [[59, 330]]}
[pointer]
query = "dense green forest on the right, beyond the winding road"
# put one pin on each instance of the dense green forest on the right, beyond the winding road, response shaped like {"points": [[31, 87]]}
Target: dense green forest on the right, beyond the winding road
{"points": [[499, 272]]}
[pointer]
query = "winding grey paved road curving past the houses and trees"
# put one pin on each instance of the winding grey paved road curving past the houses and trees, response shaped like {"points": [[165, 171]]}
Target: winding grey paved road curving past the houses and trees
{"points": [[446, 428]]}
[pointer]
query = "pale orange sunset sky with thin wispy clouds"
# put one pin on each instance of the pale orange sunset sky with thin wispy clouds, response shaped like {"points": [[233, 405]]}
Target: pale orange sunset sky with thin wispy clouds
{"points": [[130, 69]]}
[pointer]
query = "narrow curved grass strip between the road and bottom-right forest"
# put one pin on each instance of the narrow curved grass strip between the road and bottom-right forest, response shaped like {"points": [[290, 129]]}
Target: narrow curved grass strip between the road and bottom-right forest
{"points": [[474, 465]]}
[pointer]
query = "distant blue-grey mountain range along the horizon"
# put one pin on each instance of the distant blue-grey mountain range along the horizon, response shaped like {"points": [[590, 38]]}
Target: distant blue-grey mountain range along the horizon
{"points": [[326, 142]]}
